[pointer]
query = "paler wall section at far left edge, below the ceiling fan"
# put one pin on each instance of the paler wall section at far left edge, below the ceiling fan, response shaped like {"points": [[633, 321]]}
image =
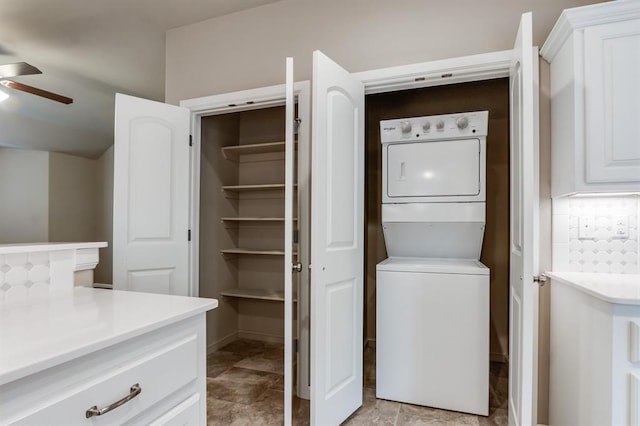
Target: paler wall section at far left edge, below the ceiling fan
{"points": [[24, 196]]}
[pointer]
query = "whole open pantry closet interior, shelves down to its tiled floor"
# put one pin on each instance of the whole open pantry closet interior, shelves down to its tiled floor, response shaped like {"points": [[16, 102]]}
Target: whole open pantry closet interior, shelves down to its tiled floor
{"points": [[241, 249]]}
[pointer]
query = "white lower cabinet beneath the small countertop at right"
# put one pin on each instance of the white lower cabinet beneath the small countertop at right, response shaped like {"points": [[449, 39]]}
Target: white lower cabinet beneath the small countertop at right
{"points": [[594, 360]]}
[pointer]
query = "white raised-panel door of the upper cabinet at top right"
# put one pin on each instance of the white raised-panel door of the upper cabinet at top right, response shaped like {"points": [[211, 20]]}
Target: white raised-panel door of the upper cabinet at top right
{"points": [[612, 102]]}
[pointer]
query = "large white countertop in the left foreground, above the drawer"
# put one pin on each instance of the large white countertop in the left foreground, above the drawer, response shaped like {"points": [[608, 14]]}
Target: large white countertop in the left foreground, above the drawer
{"points": [[40, 333]]}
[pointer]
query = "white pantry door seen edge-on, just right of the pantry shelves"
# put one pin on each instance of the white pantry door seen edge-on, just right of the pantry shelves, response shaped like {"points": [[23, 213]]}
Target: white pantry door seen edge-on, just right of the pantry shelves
{"points": [[288, 243]]}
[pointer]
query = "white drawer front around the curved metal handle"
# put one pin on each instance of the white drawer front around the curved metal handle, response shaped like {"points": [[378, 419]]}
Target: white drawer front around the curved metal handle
{"points": [[158, 373]]}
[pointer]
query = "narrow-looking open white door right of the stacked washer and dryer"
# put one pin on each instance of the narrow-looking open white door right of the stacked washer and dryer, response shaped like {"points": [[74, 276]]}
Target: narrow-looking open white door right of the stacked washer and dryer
{"points": [[523, 294]]}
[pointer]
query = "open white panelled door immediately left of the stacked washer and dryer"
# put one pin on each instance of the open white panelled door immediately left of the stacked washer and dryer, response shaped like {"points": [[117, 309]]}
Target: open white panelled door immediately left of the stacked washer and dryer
{"points": [[337, 240]]}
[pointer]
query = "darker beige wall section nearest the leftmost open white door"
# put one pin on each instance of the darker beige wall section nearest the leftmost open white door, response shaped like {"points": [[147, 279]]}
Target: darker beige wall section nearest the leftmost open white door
{"points": [[72, 198]]}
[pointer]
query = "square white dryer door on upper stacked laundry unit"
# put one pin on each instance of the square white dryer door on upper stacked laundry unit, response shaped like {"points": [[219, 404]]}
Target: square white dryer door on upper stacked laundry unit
{"points": [[434, 171]]}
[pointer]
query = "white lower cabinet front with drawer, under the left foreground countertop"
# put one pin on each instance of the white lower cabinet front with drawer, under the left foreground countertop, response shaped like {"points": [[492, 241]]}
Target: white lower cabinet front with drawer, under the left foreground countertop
{"points": [[157, 378]]}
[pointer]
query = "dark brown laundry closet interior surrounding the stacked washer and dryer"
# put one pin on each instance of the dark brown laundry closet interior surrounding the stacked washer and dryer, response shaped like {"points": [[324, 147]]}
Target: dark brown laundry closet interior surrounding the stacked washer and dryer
{"points": [[487, 95]]}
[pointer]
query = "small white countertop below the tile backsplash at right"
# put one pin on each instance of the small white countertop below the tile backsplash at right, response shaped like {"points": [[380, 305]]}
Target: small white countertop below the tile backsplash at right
{"points": [[613, 288]]}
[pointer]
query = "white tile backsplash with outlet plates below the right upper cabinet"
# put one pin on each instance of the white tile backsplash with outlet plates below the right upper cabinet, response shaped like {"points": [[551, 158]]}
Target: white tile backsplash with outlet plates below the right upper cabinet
{"points": [[599, 250]]}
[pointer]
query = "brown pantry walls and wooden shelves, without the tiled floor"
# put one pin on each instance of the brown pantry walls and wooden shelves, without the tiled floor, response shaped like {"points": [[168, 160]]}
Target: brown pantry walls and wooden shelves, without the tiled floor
{"points": [[242, 224]]}
